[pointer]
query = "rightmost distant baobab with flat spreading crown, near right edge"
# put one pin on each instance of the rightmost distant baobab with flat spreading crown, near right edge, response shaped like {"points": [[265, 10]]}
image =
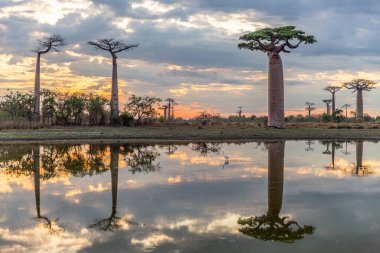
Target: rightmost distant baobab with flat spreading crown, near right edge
{"points": [[358, 85]]}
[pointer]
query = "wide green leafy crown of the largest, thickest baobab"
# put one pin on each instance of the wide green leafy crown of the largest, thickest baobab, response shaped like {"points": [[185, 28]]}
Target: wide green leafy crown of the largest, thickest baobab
{"points": [[279, 39]]}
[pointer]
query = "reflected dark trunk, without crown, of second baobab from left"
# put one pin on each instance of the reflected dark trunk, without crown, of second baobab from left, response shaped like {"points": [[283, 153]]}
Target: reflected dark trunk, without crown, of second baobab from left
{"points": [[114, 166]]}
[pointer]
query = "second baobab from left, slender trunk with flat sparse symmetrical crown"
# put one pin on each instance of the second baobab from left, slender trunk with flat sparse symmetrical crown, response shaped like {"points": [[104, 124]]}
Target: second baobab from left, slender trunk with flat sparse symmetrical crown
{"points": [[113, 47]]}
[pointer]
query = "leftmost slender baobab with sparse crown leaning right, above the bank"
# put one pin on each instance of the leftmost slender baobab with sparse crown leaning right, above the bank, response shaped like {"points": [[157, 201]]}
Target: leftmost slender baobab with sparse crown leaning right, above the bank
{"points": [[48, 43]]}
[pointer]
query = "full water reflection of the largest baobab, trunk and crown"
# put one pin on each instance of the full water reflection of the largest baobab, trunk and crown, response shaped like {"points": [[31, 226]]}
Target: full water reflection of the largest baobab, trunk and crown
{"points": [[272, 227]]}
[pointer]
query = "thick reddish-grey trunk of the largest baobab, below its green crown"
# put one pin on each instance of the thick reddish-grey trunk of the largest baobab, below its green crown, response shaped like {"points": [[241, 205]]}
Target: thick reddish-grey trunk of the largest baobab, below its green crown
{"points": [[275, 92]]}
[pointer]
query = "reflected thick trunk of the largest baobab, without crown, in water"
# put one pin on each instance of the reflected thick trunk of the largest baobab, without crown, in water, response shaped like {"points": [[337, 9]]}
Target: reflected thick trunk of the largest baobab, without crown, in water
{"points": [[275, 177]]}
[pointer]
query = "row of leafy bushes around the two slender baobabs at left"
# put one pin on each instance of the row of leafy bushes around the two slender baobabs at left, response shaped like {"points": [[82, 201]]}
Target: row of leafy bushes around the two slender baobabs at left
{"points": [[75, 108]]}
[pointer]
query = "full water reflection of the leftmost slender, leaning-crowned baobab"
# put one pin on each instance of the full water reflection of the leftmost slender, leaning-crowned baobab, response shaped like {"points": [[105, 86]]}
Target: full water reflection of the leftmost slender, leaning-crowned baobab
{"points": [[51, 225]]}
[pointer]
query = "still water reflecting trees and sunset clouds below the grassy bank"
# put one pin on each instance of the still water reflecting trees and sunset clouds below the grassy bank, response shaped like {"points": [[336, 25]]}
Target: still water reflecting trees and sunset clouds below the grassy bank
{"points": [[201, 197]]}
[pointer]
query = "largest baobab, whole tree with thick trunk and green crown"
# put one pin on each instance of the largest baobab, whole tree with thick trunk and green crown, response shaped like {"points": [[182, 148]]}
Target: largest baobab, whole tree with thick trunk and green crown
{"points": [[273, 41]]}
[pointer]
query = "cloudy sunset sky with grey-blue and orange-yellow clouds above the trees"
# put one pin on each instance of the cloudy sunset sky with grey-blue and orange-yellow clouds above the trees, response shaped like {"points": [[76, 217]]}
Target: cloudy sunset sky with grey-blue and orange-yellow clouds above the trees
{"points": [[188, 50]]}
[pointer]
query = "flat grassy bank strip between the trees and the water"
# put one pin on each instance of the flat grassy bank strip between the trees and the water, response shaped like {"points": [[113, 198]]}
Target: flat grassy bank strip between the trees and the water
{"points": [[182, 133]]}
